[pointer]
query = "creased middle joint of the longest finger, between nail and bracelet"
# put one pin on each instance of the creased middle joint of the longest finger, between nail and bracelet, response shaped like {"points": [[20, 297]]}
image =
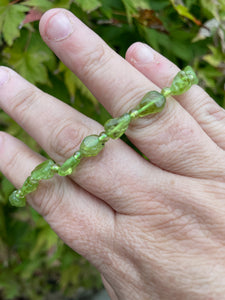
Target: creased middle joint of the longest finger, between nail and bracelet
{"points": [[95, 60]]}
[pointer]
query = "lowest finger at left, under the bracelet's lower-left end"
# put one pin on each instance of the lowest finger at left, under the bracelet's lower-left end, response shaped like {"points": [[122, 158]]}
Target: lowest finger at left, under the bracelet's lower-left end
{"points": [[79, 218]]}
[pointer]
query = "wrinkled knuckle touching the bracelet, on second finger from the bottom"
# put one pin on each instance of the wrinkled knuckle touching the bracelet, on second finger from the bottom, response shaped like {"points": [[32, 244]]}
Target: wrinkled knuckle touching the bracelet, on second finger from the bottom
{"points": [[66, 139]]}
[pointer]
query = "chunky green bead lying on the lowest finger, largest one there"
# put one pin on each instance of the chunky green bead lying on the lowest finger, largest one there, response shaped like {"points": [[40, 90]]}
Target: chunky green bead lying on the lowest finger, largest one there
{"points": [[44, 171]]}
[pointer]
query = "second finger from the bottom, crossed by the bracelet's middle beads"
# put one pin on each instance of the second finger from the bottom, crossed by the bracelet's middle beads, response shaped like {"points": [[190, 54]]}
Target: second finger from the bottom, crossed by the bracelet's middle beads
{"points": [[59, 130]]}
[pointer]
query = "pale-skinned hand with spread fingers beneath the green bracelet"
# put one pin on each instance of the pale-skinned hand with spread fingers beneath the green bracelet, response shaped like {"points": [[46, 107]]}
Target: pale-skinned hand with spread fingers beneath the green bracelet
{"points": [[154, 229]]}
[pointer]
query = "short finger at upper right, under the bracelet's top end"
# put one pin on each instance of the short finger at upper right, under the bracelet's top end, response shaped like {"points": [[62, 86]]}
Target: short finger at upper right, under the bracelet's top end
{"points": [[156, 67]]}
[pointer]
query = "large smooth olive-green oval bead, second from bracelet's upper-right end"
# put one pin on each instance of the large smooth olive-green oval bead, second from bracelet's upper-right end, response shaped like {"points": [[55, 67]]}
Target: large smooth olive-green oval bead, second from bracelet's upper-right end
{"points": [[151, 103]]}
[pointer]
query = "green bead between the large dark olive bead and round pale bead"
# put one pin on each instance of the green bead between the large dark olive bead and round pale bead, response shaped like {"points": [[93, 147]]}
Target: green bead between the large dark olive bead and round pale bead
{"points": [[116, 127]]}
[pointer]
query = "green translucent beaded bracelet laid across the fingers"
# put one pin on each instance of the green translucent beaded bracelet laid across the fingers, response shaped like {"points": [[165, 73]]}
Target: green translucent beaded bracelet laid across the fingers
{"points": [[152, 102]]}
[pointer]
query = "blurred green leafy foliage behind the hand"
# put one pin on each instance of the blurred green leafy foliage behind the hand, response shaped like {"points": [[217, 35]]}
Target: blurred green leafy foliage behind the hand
{"points": [[33, 261]]}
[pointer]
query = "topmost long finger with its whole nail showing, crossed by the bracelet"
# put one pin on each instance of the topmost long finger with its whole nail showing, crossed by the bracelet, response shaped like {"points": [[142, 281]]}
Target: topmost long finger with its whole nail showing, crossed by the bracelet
{"points": [[169, 138]]}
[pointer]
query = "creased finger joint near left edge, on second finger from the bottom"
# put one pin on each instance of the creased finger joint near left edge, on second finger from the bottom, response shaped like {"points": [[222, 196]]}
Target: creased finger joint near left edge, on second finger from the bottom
{"points": [[23, 102]]}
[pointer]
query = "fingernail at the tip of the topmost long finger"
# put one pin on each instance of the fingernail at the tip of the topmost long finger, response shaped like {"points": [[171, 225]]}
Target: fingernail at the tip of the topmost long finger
{"points": [[59, 27]]}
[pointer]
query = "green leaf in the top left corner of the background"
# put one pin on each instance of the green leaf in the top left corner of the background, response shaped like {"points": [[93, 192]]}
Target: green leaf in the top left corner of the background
{"points": [[11, 17]]}
